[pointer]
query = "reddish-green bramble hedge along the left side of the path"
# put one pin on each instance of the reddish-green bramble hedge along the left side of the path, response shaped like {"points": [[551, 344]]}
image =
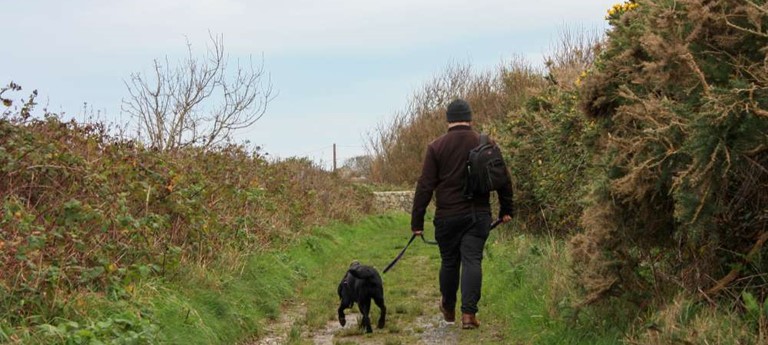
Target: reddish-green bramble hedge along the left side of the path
{"points": [[81, 210]]}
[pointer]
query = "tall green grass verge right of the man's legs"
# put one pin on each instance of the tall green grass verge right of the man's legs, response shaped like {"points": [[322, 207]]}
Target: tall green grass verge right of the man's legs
{"points": [[528, 289]]}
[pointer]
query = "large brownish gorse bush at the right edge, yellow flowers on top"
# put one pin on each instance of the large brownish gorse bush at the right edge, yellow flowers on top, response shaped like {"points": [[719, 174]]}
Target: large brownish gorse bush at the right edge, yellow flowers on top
{"points": [[681, 92]]}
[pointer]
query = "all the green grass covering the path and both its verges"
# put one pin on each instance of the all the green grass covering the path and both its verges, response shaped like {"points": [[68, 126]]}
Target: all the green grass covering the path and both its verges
{"points": [[232, 300]]}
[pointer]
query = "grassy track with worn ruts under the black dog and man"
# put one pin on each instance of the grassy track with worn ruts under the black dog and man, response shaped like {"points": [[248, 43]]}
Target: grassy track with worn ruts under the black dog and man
{"points": [[411, 291]]}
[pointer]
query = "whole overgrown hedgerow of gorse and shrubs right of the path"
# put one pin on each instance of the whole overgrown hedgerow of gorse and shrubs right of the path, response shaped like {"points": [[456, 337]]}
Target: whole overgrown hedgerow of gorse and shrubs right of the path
{"points": [[646, 151]]}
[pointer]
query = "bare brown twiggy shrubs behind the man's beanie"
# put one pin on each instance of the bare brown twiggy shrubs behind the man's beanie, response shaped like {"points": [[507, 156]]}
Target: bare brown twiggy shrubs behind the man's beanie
{"points": [[398, 146]]}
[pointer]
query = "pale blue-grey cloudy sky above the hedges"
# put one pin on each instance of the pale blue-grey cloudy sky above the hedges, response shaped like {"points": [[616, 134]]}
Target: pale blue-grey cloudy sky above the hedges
{"points": [[341, 67]]}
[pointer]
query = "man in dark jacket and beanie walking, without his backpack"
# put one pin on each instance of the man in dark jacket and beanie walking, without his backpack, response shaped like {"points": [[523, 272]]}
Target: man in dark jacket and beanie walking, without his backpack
{"points": [[461, 224]]}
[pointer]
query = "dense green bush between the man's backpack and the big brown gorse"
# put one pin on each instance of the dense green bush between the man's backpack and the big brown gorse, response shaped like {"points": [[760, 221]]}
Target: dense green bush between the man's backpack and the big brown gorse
{"points": [[548, 160]]}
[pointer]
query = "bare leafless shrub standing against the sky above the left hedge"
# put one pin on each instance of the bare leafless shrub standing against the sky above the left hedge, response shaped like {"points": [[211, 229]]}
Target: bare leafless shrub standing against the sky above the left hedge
{"points": [[173, 106]]}
